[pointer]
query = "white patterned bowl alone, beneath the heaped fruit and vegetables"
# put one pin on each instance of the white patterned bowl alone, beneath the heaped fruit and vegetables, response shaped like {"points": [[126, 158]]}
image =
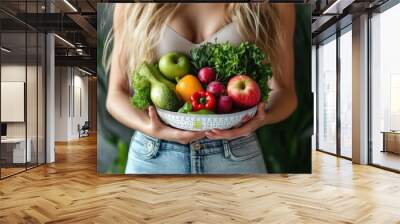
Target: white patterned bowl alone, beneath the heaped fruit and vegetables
{"points": [[204, 122]]}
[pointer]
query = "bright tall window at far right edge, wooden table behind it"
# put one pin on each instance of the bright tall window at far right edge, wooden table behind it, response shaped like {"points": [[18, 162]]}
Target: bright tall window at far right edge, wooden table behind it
{"points": [[385, 88]]}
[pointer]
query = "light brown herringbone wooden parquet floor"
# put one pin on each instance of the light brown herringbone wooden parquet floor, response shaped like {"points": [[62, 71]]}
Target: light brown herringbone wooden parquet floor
{"points": [[70, 191]]}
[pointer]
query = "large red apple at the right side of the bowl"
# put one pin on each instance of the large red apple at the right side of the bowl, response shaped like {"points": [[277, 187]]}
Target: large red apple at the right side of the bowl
{"points": [[244, 91]]}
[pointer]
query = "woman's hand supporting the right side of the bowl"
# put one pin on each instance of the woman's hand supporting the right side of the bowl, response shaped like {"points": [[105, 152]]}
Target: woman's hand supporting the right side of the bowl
{"points": [[244, 130]]}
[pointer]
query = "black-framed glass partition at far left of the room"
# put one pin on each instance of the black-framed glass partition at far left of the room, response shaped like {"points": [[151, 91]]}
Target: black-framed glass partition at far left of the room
{"points": [[22, 77]]}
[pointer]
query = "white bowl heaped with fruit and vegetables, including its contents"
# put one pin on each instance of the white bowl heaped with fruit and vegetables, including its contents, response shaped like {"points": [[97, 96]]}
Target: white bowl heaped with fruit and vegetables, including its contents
{"points": [[216, 87]]}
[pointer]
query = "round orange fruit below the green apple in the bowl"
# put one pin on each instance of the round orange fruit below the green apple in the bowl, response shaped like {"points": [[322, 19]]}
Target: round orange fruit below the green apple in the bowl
{"points": [[188, 85]]}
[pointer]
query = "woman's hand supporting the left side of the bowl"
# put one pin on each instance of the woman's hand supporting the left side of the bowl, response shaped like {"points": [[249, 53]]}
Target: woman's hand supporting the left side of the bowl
{"points": [[159, 130]]}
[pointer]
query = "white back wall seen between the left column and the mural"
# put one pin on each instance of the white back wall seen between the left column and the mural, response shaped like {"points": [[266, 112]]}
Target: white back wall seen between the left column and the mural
{"points": [[70, 83]]}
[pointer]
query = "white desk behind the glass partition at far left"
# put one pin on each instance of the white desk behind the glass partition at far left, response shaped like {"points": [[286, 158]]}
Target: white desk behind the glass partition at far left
{"points": [[16, 147]]}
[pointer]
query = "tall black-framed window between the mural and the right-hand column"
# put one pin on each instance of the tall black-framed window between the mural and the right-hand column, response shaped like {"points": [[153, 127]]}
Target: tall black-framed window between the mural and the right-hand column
{"points": [[334, 137]]}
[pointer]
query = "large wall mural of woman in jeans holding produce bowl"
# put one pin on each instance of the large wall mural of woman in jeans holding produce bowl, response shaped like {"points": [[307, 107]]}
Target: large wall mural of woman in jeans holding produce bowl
{"points": [[223, 95]]}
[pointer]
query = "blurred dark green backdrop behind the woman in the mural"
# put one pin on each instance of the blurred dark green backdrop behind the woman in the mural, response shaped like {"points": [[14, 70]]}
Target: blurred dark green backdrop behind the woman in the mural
{"points": [[286, 145]]}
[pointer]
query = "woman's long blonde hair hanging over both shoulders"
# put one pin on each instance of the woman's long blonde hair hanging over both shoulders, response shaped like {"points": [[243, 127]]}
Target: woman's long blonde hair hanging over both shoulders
{"points": [[143, 23]]}
